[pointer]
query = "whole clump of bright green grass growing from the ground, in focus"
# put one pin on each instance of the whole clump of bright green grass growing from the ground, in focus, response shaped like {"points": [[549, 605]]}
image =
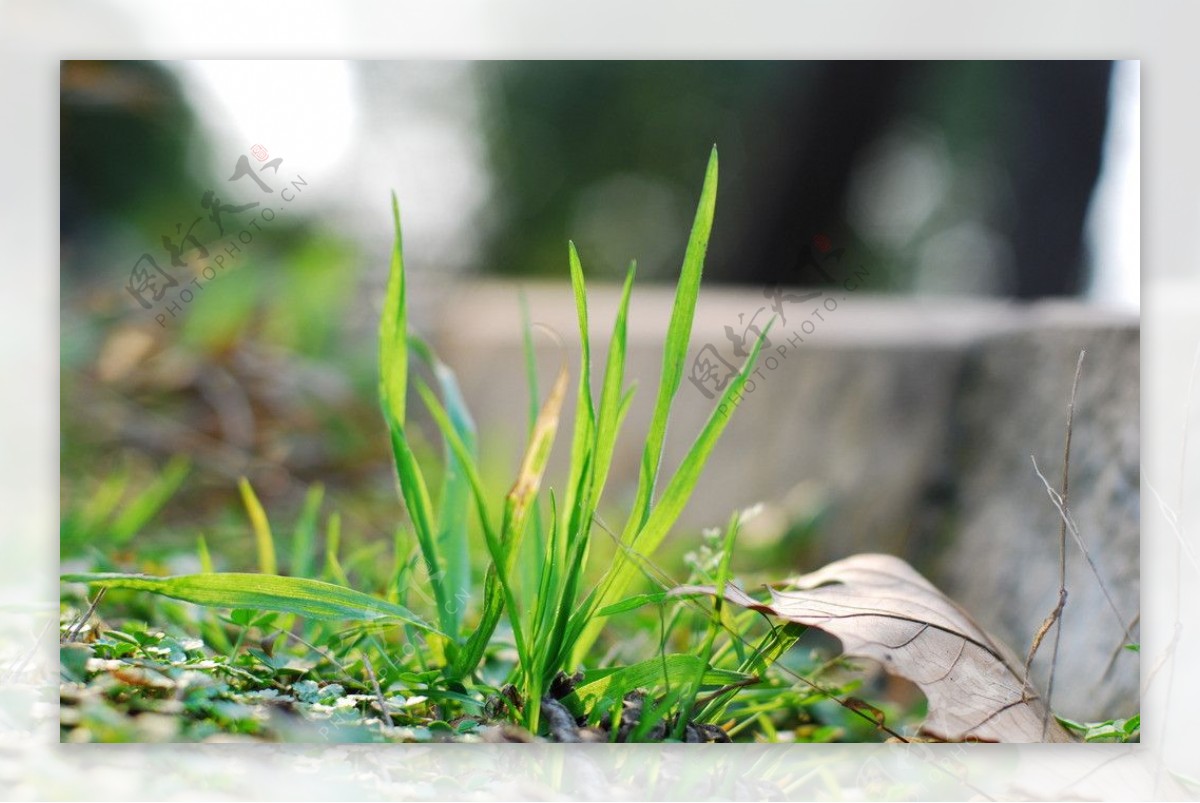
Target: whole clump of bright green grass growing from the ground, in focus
{"points": [[543, 604]]}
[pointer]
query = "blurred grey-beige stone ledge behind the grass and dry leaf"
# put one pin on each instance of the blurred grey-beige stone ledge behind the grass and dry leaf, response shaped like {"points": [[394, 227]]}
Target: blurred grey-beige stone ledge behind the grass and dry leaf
{"points": [[905, 427]]}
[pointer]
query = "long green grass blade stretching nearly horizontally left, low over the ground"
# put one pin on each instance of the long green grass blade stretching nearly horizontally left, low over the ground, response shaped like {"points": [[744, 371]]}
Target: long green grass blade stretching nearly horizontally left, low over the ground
{"points": [[301, 596]]}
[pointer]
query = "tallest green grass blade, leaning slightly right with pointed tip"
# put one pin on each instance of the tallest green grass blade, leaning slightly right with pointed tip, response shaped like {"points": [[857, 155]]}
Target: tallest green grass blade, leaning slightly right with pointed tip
{"points": [[675, 351]]}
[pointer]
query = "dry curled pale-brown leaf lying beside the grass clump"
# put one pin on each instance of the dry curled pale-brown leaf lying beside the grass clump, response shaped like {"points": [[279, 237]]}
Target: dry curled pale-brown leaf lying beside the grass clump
{"points": [[880, 608]]}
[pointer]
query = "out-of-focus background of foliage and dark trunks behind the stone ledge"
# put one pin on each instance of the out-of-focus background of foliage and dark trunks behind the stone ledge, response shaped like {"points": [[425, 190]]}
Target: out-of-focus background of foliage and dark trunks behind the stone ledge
{"points": [[959, 178]]}
